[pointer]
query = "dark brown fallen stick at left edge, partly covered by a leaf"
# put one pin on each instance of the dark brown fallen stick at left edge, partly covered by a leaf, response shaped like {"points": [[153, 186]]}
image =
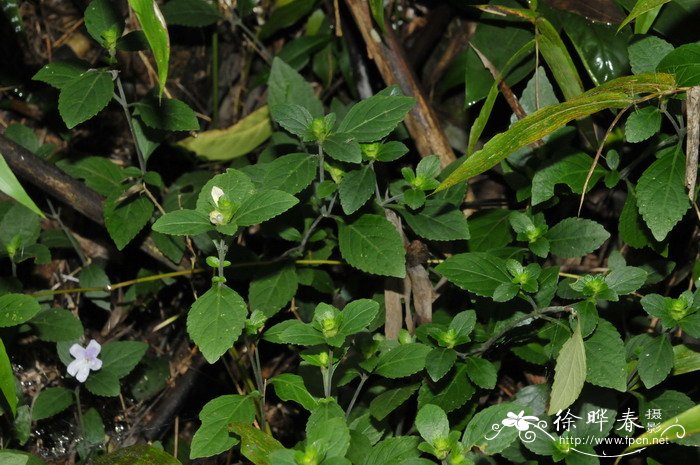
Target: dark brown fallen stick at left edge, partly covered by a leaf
{"points": [[68, 190]]}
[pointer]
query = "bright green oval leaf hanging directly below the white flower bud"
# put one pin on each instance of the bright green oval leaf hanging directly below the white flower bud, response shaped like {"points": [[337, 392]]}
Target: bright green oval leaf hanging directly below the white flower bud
{"points": [[216, 320]]}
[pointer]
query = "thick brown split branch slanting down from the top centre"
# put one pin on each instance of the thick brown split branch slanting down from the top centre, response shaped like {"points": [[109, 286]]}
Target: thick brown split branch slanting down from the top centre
{"points": [[391, 62]]}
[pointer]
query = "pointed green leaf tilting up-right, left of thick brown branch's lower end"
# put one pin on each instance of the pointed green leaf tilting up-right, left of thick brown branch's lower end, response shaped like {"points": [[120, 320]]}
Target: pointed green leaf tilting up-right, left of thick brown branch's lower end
{"points": [[374, 118]]}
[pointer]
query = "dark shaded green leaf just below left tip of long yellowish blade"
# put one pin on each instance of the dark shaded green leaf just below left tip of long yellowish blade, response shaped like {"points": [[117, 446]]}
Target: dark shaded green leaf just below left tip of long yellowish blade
{"points": [[437, 221]]}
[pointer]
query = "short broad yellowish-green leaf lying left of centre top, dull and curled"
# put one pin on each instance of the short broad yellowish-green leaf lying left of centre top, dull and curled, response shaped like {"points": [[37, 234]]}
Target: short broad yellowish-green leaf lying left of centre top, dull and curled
{"points": [[233, 142]]}
